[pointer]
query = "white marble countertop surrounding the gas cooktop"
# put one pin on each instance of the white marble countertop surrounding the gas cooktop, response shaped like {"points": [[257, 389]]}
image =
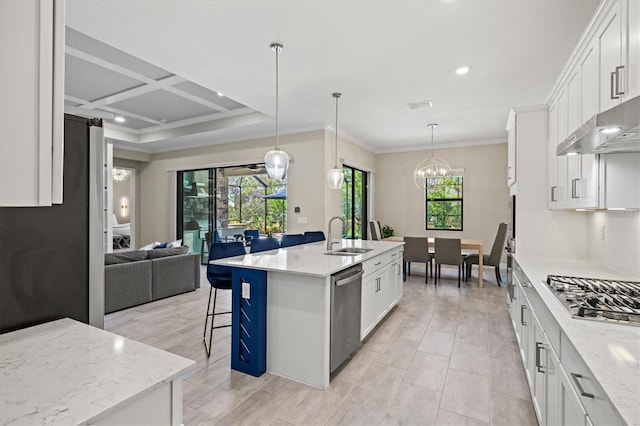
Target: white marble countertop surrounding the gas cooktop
{"points": [[611, 351]]}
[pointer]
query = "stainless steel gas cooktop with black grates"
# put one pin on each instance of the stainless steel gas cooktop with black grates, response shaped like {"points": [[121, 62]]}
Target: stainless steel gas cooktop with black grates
{"points": [[598, 299]]}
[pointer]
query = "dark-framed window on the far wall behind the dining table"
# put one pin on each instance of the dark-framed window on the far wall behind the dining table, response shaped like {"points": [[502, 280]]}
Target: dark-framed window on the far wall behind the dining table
{"points": [[444, 204]]}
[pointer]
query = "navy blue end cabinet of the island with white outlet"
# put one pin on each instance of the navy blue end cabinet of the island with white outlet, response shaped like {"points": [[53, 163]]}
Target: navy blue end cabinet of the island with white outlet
{"points": [[249, 319]]}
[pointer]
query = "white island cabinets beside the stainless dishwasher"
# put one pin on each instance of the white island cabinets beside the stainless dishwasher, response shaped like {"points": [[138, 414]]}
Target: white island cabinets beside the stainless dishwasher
{"points": [[381, 289]]}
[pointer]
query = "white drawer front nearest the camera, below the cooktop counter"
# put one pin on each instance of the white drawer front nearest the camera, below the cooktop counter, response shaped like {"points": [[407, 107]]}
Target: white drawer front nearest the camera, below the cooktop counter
{"points": [[592, 396]]}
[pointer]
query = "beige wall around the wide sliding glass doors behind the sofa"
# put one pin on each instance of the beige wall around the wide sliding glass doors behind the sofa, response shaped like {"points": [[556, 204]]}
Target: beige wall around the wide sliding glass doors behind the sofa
{"points": [[305, 182]]}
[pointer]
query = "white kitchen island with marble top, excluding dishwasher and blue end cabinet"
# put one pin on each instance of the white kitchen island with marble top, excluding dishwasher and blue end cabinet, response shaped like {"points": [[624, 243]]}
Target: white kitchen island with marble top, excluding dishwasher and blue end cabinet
{"points": [[298, 300]]}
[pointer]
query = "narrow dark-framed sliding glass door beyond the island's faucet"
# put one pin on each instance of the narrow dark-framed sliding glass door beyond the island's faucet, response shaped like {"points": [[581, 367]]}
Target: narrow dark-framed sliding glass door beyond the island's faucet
{"points": [[354, 203]]}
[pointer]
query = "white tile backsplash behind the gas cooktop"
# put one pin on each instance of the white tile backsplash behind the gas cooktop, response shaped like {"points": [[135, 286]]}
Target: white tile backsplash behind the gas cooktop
{"points": [[614, 240]]}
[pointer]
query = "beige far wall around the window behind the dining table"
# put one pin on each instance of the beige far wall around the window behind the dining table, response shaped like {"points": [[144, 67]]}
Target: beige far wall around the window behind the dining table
{"points": [[401, 205]]}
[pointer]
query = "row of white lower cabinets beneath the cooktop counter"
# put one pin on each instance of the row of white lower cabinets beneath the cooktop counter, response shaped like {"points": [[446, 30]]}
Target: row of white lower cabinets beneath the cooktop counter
{"points": [[563, 390]]}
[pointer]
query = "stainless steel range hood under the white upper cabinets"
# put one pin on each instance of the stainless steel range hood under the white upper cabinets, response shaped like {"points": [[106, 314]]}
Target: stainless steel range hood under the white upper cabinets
{"points": [[614, 130]]}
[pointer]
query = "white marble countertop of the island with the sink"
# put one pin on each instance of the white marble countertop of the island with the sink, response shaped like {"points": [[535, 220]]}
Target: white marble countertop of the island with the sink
{"points": [[309, 259]]}
